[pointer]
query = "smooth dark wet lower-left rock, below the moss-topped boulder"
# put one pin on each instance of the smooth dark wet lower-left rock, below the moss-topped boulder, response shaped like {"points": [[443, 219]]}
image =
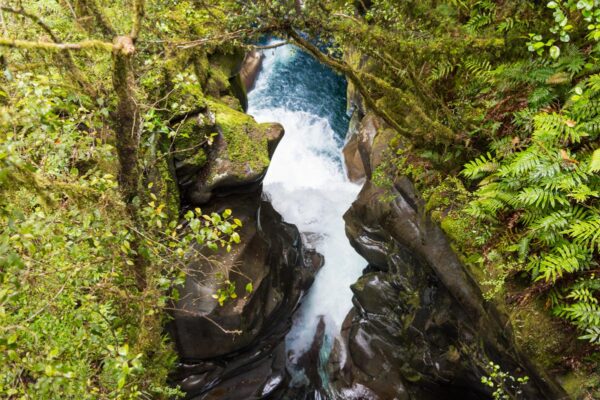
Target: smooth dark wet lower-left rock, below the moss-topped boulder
{"points": [[221, 365]]}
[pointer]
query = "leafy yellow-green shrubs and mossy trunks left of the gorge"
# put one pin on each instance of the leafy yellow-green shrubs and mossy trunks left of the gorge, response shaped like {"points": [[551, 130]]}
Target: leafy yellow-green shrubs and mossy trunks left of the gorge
{"points": [[92, 237]]}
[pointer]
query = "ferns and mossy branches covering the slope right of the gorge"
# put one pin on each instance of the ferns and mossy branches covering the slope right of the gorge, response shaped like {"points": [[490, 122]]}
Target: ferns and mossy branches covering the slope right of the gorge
{"points": [[495, 107]]}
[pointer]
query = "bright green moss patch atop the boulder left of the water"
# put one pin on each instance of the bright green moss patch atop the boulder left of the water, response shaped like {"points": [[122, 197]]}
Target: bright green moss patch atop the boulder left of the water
{"points": [[246, 139]]}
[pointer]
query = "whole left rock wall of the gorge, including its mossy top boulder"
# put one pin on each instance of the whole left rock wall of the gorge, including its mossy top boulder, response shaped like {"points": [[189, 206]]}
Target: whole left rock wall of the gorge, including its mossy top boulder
{"points": [[236, 351]]}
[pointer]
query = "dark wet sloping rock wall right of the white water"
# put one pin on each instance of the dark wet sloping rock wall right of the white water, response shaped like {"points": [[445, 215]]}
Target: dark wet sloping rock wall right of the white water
{"points": [[420, 328]]}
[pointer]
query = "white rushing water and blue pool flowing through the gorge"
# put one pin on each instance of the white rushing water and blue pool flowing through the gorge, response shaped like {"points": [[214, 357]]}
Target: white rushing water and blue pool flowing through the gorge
{"points": [[307, 185]]}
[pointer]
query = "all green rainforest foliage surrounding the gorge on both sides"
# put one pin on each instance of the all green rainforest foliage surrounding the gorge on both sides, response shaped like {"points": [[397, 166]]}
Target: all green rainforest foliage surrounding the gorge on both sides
{"points": [[496, 106]]}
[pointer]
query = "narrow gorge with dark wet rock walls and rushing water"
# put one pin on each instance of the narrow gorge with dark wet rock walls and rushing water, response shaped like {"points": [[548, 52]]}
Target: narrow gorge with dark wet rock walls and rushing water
{"points": [[357, 293]]}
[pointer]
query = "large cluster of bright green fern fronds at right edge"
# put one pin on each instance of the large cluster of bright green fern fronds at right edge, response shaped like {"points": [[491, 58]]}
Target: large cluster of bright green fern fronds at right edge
{"points": [[551, 183]]}
